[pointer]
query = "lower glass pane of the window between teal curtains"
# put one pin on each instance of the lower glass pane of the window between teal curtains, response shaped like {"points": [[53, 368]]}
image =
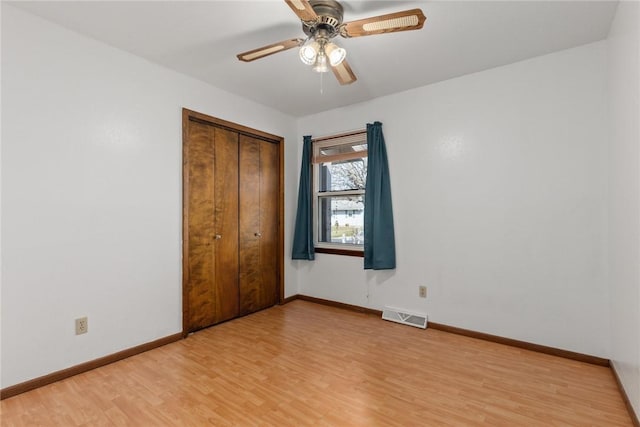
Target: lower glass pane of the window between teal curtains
{"points": [[341, 219]]}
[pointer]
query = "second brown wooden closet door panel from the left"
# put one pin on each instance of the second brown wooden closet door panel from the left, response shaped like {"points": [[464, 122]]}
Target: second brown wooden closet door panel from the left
{"points": [[225, 220]]}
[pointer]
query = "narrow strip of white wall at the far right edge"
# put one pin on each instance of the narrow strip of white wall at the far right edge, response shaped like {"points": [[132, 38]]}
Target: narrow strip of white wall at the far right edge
{"points": [[624, 197]]}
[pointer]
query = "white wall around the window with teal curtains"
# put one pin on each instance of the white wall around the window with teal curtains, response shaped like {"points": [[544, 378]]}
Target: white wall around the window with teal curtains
{"points": [[499, 196]]}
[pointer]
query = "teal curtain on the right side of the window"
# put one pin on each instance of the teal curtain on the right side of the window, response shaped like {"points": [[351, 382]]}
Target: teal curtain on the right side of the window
{"points": [[379, 237]]}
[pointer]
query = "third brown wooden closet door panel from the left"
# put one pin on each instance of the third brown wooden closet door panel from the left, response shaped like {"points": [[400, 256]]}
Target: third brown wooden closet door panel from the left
{"points": [[250, 232]]}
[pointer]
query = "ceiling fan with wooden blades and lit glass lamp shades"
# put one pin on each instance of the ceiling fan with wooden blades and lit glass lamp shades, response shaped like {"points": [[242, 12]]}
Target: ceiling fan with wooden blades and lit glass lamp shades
{"points": [[321, 22]]}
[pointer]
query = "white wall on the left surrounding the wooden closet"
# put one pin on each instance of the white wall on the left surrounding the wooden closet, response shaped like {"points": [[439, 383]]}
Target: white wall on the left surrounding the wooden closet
{"points": [[91, 194]]}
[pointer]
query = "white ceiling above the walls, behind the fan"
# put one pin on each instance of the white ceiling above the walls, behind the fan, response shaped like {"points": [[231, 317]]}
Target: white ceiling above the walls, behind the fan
{"points": [[202, 38]]}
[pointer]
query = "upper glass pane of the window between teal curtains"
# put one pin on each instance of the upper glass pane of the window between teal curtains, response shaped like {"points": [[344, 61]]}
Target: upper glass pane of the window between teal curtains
{"points": [[344, 175]]}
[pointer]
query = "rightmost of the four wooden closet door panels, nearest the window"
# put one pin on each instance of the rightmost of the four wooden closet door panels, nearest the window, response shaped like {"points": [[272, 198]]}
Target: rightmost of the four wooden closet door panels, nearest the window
{"points": [[269, 218]]}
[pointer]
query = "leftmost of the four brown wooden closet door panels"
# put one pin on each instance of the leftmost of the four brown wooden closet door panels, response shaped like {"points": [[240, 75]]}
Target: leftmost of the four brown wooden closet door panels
{"points": [[200, 202]]}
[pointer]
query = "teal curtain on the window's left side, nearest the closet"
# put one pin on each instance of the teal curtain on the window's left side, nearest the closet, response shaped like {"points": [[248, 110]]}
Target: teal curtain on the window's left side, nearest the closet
{"points": [[303, 233]]}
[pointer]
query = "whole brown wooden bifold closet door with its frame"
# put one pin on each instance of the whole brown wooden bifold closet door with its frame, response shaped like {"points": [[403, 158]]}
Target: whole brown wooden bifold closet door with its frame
{"points": [[232, 216]]}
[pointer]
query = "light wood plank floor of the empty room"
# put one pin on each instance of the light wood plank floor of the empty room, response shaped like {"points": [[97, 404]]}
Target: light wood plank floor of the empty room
{"points": [[307, 364]]}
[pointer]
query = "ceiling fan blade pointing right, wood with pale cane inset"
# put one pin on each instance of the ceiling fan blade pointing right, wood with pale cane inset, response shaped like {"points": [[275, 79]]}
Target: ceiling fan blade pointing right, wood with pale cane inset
{"points": [[400, 21]]}
